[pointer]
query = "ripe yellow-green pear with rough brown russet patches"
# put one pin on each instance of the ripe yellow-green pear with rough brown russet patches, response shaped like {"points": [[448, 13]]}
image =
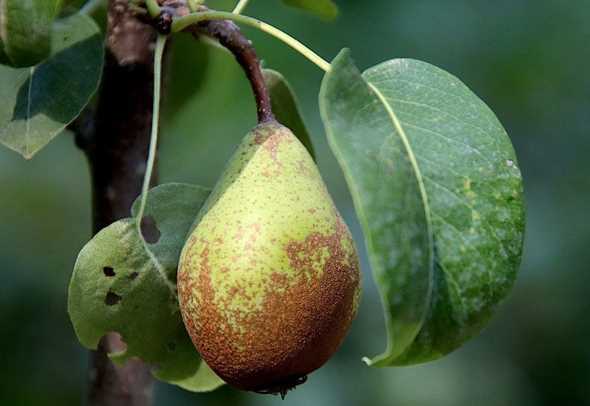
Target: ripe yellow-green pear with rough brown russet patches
{"points": [[268, 279]]}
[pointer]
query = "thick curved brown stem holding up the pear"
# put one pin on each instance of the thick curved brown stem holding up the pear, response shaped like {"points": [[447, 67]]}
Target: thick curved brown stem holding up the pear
{"points": [[229, 35]]}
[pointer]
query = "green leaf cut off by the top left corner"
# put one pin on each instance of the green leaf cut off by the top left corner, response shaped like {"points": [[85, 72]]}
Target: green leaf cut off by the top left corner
{"points": [[25, 29]]}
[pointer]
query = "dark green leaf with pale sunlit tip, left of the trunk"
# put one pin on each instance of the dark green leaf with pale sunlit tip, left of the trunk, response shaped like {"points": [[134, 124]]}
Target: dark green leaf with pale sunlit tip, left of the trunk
{"points": [[39, 102]]}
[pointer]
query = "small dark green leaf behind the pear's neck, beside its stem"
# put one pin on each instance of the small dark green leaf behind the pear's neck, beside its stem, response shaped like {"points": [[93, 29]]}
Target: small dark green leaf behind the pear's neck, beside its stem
{"points": [[286, 107]]}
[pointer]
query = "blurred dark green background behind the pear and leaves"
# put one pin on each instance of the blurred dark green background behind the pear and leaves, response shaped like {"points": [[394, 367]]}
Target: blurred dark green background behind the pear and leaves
{"points": [[529, 60]]}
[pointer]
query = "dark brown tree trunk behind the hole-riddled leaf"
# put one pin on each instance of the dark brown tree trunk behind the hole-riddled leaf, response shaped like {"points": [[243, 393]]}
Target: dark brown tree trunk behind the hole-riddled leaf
{"points": [[116, 146]]}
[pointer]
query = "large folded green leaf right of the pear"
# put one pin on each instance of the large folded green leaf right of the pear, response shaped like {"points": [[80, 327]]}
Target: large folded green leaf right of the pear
{"points": [[438, 192]]}
